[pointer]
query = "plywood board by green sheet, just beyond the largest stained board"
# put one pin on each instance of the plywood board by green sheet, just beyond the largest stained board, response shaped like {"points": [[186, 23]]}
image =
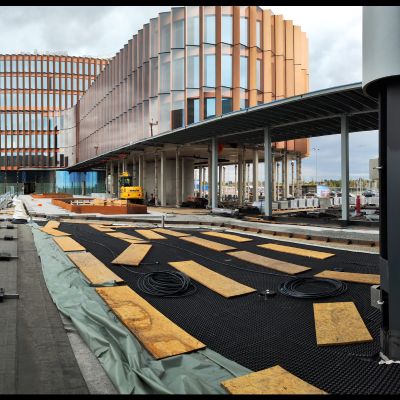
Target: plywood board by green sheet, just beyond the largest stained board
{"points": [[93, 269]]}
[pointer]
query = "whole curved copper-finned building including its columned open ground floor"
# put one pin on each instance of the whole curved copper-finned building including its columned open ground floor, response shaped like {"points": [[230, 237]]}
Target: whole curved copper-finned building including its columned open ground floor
{"points": [[185, 66]]}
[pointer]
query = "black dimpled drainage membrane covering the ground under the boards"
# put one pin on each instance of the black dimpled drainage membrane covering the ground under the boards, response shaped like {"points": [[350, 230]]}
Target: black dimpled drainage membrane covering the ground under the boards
{"points": [[255, 332]]}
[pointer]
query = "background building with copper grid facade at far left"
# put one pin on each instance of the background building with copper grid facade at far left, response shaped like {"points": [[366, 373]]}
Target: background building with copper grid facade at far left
{"points": [[33, 90]]}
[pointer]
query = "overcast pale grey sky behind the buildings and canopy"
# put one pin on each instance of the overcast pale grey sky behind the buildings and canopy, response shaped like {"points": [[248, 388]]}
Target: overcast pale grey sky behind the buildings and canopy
{"points": [[334, 34]]}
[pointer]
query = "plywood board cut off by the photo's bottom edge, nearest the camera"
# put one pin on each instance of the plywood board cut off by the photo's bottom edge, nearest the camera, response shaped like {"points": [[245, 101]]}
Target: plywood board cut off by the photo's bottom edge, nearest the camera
{"points": [[274, 380]]}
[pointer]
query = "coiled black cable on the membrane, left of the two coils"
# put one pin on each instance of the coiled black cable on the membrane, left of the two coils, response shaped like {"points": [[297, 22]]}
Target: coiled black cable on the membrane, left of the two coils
{"points": [[166, 284]]}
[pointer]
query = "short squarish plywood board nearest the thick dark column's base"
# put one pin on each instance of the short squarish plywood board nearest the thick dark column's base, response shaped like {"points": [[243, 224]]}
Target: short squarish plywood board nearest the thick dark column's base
{"points": [[339, 323]]}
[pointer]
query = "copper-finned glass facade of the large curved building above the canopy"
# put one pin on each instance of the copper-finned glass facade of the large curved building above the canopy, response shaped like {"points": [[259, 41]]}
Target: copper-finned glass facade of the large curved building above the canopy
{"points": [[184, 66]]}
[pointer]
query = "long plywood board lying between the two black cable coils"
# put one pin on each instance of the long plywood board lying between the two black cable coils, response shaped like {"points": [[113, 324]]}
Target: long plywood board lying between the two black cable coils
{"points": [[218, 283]]}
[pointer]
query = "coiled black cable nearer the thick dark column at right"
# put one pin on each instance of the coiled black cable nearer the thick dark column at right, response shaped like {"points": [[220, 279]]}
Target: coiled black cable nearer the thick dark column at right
{"points": [[291, 288]]}
